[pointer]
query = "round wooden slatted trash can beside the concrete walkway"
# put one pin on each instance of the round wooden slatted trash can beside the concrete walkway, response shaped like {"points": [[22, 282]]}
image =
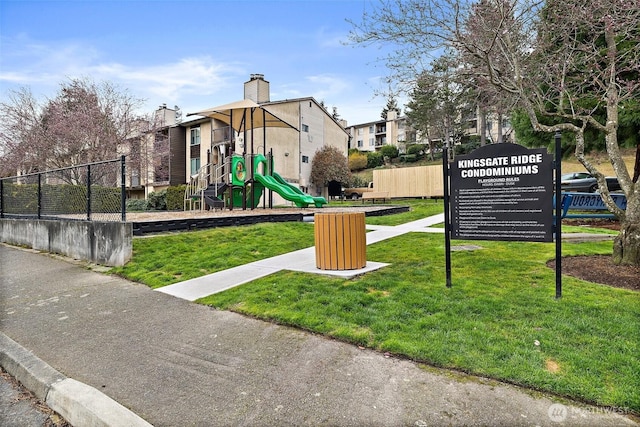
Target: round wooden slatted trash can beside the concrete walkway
{"points": [[340, 240]]}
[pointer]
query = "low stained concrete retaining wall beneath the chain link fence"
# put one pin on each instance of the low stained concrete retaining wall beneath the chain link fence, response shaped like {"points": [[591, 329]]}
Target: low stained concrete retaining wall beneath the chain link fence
{"points": [[105, 243]]}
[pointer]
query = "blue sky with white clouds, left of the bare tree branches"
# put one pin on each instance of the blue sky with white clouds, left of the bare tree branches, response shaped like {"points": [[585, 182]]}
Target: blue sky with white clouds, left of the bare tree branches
{"points": [[194, 54]]}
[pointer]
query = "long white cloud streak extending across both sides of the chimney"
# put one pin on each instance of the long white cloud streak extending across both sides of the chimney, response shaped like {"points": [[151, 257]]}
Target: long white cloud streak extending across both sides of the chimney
{"points": [[190, 82]]}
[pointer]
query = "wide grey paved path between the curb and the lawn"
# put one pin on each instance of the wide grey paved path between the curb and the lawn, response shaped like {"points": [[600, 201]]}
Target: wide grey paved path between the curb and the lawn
{"points": [[172, 362]]}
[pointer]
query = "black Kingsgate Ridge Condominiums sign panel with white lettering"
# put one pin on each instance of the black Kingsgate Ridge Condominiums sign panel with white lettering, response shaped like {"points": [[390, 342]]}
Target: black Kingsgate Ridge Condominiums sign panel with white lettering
{"points": [[502, 192]]}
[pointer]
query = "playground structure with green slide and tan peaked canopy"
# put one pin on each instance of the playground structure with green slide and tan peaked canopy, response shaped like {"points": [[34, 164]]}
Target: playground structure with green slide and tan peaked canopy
{"points": [[240, 179]]}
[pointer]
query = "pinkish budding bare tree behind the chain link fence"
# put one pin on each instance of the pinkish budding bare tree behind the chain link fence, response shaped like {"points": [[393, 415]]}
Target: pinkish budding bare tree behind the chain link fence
{"points": [[84, 122]]}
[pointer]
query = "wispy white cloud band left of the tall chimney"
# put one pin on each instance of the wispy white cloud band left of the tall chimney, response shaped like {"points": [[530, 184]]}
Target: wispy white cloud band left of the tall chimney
{"points": [[43, 67]]}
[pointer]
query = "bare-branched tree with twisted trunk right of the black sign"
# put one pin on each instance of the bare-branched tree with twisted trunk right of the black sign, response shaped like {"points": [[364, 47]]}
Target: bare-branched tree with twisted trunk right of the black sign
{"points": [[558, 58]]}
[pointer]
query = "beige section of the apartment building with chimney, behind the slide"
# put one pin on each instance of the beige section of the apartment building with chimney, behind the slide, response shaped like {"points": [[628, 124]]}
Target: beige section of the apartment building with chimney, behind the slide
{"points": [[211, 141]]}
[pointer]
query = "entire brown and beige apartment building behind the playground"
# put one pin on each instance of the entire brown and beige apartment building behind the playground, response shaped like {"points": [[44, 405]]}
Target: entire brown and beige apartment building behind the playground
{"points": [[177, 148]]}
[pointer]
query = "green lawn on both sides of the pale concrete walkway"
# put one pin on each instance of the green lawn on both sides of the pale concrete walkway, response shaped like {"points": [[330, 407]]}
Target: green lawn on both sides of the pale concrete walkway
{"points": [[500, 319]]}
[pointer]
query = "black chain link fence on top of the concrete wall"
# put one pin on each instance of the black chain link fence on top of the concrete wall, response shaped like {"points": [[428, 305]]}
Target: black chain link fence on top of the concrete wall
{"points": [[92, 192]]}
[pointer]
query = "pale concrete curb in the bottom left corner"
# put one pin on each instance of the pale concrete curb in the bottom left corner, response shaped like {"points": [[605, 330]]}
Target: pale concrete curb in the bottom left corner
{"points": [[81, 405]]}
